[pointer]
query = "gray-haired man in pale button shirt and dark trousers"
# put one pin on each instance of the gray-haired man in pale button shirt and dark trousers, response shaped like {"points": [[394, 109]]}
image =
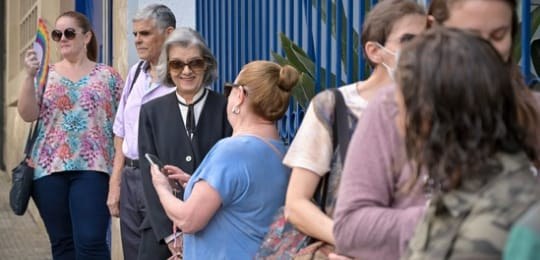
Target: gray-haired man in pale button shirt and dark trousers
{"points": [[151, 27]]}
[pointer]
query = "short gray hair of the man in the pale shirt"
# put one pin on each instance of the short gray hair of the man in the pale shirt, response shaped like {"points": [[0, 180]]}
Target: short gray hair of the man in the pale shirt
{"points": [[161, 14]]}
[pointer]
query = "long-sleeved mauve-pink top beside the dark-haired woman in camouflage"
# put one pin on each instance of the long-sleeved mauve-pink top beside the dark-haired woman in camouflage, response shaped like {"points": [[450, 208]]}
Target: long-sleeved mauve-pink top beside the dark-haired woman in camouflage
{"points": [[373, 218]]}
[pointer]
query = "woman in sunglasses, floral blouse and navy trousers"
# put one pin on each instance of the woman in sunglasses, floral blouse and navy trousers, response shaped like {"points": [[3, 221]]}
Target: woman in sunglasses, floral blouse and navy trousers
{"points": [[73, 151]]}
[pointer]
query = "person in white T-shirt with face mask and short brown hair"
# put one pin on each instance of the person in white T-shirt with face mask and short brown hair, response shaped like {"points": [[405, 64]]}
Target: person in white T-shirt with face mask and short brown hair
{"points": [[387, 26]]}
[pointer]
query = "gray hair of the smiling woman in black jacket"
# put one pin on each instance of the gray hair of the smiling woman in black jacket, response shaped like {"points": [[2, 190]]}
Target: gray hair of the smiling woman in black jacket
{"points": [[186, 37]]}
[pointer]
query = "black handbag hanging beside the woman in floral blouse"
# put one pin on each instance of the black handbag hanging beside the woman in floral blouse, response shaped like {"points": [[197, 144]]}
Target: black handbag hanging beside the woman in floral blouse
{"points": [[22, 176]]}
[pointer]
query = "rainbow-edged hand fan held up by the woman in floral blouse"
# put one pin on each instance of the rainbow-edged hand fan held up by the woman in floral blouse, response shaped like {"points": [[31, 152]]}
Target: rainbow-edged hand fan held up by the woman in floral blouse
{"points": [[41, 46]]}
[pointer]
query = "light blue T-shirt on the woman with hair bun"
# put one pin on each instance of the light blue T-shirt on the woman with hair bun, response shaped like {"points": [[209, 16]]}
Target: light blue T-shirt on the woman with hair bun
{"points": [[252, 183]]}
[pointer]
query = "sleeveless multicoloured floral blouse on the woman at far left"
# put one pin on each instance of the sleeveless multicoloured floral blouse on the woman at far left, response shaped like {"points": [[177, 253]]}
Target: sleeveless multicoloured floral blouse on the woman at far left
{"points": [[76, 119]]}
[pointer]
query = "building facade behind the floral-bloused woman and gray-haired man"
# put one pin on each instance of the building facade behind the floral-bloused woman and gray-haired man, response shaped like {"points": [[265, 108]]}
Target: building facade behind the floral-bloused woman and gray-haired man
{"points": [[111, 22]]}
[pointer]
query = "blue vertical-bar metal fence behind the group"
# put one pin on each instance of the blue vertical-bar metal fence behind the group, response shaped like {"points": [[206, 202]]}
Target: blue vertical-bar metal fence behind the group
{"points": [[239, 31]]}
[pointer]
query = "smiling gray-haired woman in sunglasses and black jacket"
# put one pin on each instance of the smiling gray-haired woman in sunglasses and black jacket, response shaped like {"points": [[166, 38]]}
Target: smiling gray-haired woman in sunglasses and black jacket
{"points": [[181, 127]]}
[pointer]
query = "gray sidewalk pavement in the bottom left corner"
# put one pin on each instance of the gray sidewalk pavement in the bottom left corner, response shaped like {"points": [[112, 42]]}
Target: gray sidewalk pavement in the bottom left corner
{"points": [[21, 237]]}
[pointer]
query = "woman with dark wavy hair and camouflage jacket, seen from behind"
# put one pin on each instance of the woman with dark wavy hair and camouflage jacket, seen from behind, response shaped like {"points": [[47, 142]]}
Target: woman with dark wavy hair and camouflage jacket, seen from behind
{"points": [[462, 127]]}
